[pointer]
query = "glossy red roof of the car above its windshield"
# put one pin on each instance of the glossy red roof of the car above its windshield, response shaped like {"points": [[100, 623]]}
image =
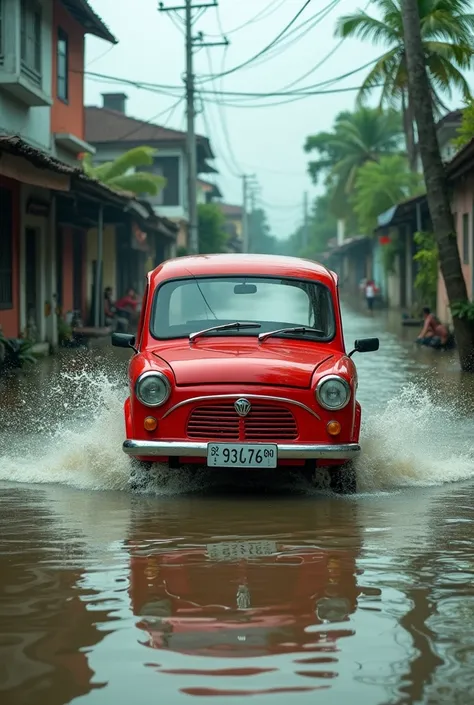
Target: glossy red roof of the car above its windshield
{"points": [[241, 264]]}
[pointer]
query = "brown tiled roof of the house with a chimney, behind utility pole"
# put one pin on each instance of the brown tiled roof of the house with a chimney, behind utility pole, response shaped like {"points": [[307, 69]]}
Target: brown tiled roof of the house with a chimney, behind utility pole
{"points": [[105, 125]]}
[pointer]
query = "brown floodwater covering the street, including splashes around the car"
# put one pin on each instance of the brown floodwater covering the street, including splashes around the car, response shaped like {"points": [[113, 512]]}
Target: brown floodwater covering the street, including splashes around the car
{"points": [[212, 589]]}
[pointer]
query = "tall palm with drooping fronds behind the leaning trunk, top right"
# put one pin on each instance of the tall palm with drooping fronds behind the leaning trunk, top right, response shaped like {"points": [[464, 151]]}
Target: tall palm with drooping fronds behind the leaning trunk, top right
{"points": [[447, 30]]}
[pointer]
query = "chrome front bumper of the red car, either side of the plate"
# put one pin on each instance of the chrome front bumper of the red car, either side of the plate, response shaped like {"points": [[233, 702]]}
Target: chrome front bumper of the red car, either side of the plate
{"points": [[286, 451]]}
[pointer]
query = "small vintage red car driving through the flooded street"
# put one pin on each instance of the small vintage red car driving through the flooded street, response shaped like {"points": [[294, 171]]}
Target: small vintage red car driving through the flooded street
{"points": [[240, 363]]}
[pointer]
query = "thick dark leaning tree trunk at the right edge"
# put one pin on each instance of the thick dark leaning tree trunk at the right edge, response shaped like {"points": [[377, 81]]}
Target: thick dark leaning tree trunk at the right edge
{"points": [[436, 181]]}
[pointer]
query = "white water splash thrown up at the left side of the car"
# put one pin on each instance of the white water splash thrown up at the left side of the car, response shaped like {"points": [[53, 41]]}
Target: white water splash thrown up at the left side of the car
{"points": [[72, 434]]}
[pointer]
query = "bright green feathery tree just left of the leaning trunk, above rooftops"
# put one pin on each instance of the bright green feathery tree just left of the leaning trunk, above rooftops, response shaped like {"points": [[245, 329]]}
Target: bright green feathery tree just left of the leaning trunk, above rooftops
{"points": [[380, 185]]}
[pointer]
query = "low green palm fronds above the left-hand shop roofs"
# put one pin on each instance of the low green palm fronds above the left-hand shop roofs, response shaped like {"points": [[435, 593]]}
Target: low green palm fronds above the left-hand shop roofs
{"points": [[115, 174]]}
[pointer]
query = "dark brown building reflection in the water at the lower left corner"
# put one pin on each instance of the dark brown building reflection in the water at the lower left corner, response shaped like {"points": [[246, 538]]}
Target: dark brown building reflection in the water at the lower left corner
{"points": [[46, 623]]}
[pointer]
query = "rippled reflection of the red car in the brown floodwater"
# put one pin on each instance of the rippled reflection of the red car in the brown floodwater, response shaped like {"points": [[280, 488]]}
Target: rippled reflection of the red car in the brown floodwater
{"points": [[243, 599]]}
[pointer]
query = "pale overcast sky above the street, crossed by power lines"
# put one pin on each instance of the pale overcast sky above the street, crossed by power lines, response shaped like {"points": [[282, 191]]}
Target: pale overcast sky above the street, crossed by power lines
{"points": [[265, 141]]}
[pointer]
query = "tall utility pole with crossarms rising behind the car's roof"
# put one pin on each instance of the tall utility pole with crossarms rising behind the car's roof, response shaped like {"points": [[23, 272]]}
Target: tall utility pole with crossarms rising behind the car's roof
{"points": [[190, 43]]}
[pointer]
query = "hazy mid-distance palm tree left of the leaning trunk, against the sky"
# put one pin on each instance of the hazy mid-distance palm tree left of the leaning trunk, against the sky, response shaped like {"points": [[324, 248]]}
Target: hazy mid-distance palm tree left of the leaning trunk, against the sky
{"points": [[357, 138]]}
